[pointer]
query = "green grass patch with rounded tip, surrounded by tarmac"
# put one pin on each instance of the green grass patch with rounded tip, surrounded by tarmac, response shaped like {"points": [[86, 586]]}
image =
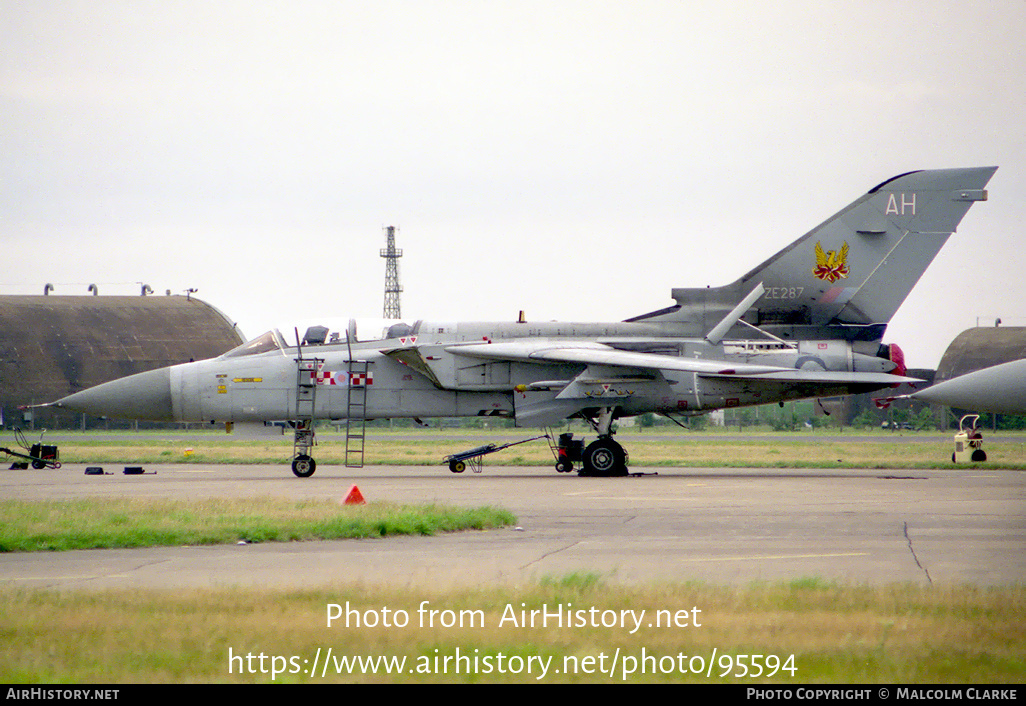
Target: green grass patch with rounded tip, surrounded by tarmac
{"points": [[111, 524]]}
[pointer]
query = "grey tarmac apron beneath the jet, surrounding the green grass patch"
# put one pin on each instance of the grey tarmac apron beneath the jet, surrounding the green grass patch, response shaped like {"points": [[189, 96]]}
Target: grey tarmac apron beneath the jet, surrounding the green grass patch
{"points": [[718, 526]]}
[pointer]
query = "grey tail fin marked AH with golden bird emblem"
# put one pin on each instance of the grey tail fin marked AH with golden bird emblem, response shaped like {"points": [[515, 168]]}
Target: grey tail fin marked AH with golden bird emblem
{"points": [[847, 278]]}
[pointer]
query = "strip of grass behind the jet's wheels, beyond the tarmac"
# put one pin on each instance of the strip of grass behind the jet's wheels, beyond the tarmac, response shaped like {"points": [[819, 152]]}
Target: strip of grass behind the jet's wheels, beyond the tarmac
{"points": [[654, 448]]}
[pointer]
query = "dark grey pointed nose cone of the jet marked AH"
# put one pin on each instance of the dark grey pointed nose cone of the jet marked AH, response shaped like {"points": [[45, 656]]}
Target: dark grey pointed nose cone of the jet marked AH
{"points": [[142, 397]]}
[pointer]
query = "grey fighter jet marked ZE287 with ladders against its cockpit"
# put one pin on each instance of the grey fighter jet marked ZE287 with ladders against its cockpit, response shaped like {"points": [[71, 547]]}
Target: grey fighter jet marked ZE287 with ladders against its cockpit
{"points": [[808, 323]]}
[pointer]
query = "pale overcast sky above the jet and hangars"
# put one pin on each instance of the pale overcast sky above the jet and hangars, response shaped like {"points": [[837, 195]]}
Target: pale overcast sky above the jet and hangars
{"points": [[573, 160]]}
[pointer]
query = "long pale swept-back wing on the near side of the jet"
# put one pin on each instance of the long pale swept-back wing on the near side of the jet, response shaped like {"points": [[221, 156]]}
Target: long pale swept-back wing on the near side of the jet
{"points": [[593, 354]]}
